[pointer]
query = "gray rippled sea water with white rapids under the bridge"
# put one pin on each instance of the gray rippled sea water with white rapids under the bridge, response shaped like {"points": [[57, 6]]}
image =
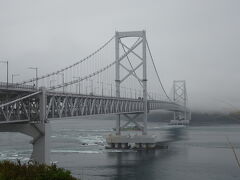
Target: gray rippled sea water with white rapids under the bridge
{"points": [[78, 145]]}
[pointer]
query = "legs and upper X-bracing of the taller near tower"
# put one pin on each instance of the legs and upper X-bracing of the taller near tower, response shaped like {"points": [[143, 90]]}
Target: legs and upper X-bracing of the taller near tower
{"points": [[141, 77]]}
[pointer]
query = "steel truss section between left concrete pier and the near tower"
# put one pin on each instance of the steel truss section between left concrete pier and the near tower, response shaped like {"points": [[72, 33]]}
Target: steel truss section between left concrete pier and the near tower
{"points": [[70, 106]]}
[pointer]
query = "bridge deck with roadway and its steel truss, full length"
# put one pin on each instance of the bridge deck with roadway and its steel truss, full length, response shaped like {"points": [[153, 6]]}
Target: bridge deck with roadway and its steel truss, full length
{"points": [[27, 102]]}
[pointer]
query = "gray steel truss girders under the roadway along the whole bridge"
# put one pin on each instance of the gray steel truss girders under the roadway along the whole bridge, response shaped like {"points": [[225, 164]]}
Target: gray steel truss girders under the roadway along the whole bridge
{"points": [[68, 105]]}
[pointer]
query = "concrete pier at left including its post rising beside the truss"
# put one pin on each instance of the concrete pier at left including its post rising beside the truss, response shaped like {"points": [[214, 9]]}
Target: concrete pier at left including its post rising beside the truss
{"points": [[38, 130]]}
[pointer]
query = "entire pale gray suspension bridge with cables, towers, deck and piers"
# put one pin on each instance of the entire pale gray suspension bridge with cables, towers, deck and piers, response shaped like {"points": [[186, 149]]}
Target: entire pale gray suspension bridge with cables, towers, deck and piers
{"points": [[119, 78]]}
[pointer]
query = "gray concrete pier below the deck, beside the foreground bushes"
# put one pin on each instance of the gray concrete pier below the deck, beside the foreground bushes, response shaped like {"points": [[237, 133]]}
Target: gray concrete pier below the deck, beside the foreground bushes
{"points": [[40, 132]]}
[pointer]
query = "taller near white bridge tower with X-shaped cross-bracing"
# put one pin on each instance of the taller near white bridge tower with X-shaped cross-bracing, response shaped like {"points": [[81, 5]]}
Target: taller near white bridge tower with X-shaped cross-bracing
{"points": [[131, 72]]}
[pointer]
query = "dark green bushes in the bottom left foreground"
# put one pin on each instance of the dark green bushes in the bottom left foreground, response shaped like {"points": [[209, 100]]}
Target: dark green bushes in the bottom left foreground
{"points": [[32, 171]]}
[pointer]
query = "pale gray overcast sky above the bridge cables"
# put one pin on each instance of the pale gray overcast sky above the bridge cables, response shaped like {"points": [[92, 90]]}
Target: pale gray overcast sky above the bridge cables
{"points": [[195, 40]]}
